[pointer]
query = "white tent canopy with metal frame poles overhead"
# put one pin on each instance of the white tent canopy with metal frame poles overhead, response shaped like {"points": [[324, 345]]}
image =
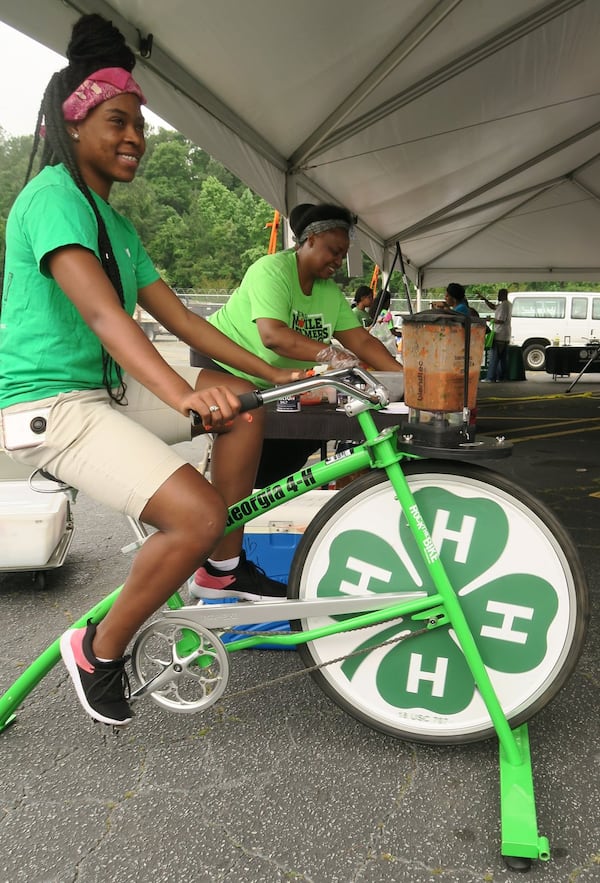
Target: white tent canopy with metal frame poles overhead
{"points": [[466, 130]]}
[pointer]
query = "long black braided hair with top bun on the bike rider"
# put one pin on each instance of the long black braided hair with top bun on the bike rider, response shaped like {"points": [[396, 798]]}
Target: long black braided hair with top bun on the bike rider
{"points": [[95, 43]]}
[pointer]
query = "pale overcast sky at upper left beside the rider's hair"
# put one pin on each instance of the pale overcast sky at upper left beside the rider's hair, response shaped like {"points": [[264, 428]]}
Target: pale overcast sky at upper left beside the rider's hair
{"points": [[19, 107]]}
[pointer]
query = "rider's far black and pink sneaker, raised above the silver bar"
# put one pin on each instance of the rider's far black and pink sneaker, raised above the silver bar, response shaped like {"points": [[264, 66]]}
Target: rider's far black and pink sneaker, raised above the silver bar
{"points": [[247, 582]]}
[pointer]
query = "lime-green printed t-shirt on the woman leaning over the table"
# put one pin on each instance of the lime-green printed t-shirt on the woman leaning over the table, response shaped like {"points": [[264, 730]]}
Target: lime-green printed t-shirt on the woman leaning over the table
{"points": [[271, 289]]}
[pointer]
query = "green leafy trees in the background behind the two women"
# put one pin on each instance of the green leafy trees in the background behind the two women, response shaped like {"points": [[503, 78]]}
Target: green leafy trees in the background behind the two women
{"points": [[199, 223]]}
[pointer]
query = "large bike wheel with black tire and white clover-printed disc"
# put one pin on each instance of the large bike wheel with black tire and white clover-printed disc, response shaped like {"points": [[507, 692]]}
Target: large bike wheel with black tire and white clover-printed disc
{"points": [[517, 571]]}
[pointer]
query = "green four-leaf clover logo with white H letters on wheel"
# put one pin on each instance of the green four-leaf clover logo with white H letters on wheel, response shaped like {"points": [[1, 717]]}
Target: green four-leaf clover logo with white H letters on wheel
{"points": [[509, 613]]}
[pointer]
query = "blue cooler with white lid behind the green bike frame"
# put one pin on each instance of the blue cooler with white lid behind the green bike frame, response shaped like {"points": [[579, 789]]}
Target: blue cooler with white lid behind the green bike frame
{"points": [[271, 539]]}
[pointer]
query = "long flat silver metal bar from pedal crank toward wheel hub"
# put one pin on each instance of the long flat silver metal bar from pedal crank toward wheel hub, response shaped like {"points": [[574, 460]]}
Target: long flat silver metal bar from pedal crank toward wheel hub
{"points": [[226, 615]]}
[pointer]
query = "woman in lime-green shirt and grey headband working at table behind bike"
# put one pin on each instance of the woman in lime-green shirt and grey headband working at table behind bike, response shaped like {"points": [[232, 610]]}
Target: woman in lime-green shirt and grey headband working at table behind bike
{"points": [[288, 309]]}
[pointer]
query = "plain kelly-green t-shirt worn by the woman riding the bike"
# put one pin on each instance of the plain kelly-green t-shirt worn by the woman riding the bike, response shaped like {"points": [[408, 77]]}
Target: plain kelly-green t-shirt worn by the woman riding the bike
{"points": [[45, 346]]}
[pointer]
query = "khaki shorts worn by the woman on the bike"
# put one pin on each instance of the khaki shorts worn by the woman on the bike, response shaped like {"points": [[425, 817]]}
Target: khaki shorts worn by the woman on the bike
{"points": [[118, 455]]}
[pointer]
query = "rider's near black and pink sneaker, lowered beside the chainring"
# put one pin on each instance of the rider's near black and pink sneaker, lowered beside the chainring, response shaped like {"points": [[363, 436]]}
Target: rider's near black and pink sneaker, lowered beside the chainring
{"points": [[102, 687]]}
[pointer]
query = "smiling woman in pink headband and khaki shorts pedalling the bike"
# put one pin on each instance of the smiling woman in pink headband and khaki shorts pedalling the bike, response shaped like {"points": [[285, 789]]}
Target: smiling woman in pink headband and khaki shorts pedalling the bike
{"points": [[76, 365]]}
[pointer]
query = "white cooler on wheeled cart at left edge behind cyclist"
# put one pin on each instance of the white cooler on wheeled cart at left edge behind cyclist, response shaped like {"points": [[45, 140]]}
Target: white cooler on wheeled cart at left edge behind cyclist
{"points": [[31, 524]]}
